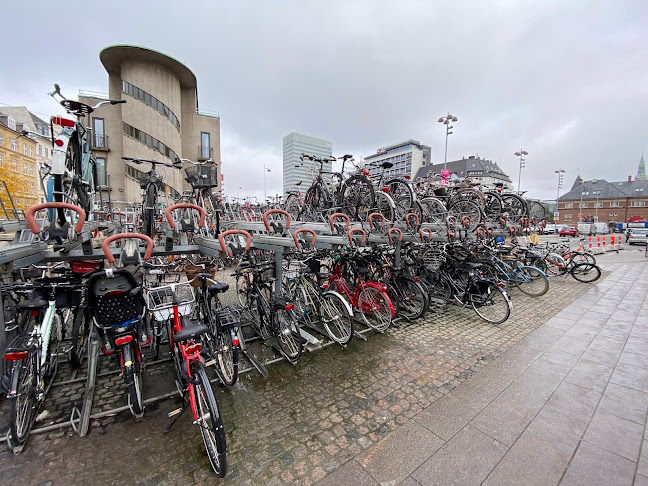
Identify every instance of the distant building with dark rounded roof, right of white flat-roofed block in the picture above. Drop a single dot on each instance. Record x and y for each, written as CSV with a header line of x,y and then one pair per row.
x,y
486,172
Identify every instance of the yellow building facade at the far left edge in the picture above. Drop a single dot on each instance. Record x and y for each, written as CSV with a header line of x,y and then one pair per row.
x,y
18,168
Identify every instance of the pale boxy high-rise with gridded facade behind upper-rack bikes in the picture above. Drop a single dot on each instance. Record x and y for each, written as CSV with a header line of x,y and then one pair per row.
x,y
295,144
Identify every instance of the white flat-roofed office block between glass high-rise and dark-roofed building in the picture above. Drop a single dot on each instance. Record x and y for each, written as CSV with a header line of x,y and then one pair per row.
x,y
407,157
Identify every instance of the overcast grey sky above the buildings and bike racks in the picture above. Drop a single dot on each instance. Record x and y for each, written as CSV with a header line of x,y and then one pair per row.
x,y
565,80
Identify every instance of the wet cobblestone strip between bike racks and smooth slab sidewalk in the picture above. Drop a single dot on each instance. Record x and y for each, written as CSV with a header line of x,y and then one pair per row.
x,y
297,426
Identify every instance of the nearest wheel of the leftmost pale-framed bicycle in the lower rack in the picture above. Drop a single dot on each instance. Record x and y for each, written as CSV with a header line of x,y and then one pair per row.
x,y
23,405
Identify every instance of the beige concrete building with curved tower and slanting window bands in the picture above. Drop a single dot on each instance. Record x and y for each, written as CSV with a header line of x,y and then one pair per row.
x,y
159,121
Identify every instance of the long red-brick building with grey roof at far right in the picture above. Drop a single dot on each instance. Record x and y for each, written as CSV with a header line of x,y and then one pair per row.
x,y
606,202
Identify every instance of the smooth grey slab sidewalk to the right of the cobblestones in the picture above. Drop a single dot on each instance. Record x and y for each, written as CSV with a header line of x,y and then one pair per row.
x,y
566,405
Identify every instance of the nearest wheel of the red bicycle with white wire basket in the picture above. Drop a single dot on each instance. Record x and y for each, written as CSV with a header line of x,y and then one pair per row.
x,y
209,420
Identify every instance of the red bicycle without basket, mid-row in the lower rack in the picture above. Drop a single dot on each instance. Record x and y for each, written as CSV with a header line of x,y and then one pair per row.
x,y
368,297
